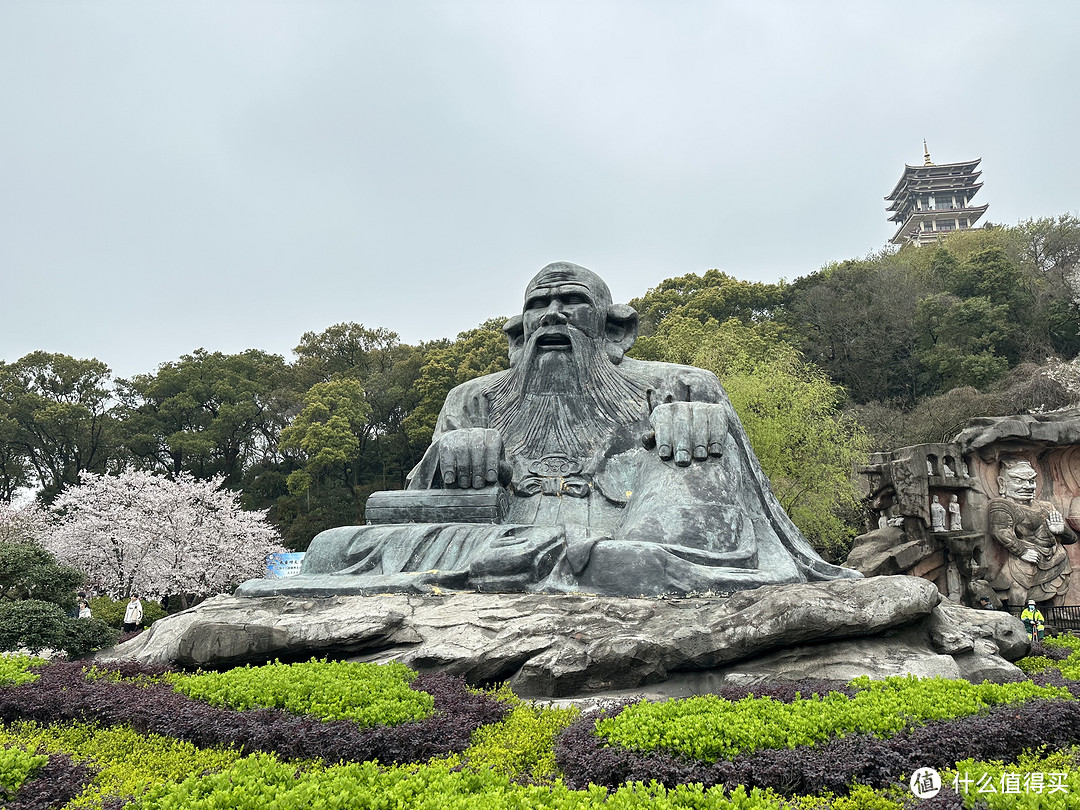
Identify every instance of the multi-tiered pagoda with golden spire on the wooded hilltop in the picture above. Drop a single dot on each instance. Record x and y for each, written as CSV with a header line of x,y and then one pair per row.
x,y
935,199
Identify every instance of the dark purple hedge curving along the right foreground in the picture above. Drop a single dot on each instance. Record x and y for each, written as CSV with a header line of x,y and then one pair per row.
x,y
1002,734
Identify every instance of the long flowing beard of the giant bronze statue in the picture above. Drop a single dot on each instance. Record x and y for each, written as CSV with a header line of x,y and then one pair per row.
x,y
564,402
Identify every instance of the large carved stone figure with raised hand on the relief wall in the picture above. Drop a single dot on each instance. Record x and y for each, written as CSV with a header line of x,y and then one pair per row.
x,y
1037,566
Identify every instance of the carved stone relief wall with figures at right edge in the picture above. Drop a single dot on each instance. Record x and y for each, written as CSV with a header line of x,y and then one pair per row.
x,y
994,514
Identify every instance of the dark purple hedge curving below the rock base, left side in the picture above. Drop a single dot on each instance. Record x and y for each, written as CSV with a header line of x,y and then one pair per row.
x,y
62,694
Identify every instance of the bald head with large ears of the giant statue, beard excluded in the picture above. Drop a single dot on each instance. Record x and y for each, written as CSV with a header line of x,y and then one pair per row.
x,y
566,304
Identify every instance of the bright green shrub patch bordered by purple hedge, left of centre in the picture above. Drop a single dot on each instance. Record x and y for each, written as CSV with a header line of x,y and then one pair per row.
x,y
369,695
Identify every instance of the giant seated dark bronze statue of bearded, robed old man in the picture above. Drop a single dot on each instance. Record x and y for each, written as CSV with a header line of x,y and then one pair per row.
x,y
624,477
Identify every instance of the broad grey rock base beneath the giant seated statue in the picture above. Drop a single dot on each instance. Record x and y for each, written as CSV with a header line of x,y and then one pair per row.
x,y
569,646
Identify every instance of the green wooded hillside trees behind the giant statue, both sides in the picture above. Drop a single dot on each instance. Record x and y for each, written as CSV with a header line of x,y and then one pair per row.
x,y
899,347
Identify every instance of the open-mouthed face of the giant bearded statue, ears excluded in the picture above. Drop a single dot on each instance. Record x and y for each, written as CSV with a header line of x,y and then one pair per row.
x,y
552,310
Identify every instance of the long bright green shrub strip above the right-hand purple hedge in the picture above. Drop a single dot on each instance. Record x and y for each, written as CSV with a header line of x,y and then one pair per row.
x,y
710,728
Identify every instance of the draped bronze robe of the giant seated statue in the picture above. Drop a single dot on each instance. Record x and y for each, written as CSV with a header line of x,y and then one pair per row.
x,y
616,521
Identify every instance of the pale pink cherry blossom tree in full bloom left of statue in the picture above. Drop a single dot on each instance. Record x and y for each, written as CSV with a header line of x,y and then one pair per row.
x,y
143,534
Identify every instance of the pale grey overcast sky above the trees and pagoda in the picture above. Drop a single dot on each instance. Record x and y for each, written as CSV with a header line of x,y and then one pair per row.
x,y
231,175
